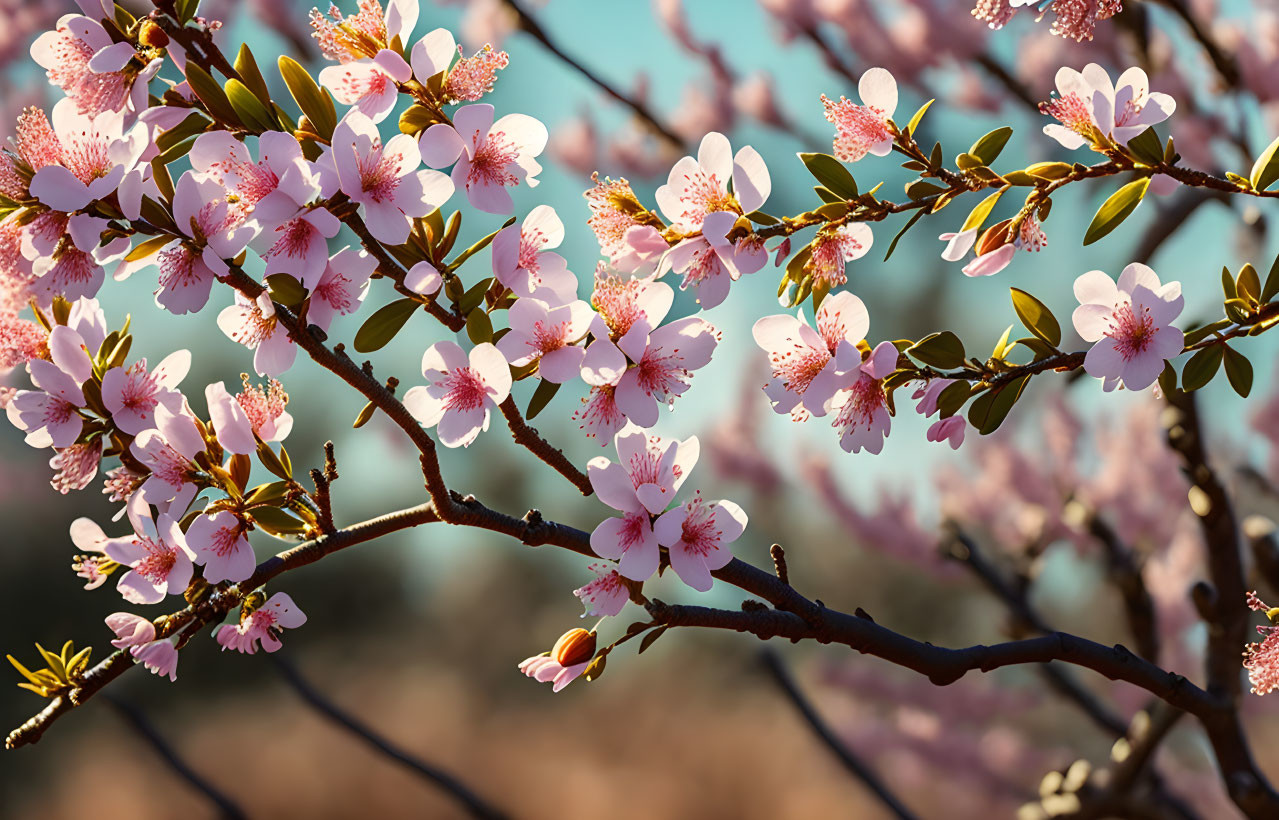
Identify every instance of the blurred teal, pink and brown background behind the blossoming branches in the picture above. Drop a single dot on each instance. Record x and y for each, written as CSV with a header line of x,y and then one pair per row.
x,y
419,635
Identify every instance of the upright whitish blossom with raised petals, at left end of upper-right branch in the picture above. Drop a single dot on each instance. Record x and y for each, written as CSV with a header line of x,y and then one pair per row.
x,y
696,189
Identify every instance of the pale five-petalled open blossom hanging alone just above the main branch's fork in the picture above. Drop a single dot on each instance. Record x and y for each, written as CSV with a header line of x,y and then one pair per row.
x,y
461,392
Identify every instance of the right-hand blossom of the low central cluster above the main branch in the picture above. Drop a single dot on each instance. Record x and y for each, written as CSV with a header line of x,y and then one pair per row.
x,y
696,534
